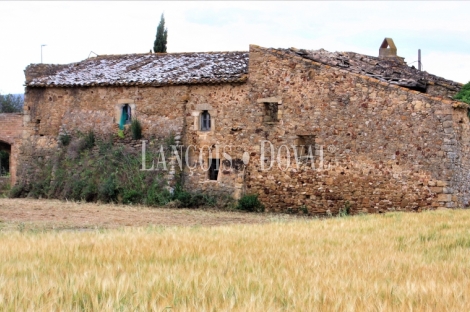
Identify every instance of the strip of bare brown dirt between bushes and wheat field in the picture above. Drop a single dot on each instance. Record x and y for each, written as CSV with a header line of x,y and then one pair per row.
x,y
54,214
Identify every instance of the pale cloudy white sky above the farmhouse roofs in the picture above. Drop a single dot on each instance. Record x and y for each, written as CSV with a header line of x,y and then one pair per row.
x,y
73,31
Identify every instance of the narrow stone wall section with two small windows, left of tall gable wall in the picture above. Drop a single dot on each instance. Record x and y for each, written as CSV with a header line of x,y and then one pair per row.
x,y
226,105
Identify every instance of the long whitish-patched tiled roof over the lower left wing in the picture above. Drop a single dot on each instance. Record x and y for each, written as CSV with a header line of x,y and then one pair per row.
x,y
142,69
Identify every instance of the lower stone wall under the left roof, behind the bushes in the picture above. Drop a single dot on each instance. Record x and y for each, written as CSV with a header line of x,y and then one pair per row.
x,y
162,111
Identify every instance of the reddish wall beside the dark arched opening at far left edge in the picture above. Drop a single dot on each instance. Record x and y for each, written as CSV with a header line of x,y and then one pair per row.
x,y
11,128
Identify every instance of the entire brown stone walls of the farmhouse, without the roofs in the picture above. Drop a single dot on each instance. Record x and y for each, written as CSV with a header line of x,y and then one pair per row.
x,y
377,147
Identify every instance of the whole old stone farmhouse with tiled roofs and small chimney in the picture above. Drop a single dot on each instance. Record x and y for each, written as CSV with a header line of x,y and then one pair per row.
x,y
303,129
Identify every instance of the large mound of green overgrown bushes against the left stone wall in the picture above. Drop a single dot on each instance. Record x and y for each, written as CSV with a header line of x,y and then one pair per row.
x,y
110,173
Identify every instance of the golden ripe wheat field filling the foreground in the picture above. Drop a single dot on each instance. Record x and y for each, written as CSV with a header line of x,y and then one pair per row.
x,y
391,262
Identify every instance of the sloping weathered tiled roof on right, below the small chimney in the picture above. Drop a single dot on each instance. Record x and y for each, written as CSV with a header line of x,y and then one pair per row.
x,y
389,69
